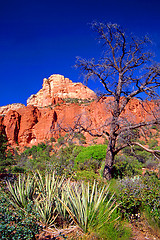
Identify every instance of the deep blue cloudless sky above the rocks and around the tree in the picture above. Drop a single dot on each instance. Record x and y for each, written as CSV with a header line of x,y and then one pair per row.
x,y
42,37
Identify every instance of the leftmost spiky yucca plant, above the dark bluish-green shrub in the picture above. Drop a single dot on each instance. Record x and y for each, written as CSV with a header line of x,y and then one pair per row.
x,y
22,191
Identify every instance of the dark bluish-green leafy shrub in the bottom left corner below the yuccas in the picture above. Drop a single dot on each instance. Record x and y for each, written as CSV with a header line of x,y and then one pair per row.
x,y
16,224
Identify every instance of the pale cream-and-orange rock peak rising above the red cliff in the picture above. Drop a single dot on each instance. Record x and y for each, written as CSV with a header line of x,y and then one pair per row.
x,y
56,88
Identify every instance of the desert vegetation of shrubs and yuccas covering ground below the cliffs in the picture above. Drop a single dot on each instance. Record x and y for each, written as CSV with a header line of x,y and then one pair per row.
x,y
68,191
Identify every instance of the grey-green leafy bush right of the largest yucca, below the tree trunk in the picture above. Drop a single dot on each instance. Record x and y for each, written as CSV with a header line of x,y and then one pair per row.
x,y
140,194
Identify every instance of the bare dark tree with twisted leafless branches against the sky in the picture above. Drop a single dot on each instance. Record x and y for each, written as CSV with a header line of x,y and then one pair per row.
x,y
126,70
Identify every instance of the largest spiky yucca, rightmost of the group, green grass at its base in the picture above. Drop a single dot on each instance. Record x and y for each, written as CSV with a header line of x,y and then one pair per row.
x,y
87,203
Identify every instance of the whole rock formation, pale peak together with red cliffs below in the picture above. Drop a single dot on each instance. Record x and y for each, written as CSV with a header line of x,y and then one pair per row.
x,y
39,120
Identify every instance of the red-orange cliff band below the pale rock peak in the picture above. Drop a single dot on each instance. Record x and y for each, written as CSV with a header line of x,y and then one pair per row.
x,y
32,125
